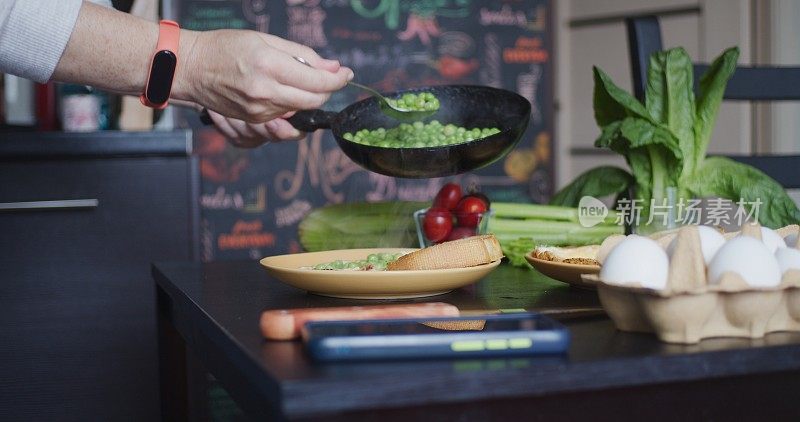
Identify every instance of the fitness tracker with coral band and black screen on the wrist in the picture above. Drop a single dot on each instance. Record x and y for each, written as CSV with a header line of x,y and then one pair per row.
x,y
162,66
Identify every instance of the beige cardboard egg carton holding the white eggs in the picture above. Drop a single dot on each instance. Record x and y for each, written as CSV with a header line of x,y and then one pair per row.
x,y
690,309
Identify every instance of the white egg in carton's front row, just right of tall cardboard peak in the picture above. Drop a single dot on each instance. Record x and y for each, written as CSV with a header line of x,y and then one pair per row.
x,y
747,257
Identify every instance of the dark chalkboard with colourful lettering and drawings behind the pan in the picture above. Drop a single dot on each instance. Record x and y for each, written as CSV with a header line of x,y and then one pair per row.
x,y
252,200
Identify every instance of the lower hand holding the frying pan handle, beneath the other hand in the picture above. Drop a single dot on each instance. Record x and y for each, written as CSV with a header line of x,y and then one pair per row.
x,y
250,135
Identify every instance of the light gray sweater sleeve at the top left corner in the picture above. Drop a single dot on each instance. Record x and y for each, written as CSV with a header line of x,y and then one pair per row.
x,y
34,34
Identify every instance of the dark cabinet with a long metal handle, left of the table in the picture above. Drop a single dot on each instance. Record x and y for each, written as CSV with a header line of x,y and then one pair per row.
x,y
81,219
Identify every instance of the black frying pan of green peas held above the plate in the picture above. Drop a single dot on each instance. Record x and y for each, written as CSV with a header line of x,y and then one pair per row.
x,y
462,105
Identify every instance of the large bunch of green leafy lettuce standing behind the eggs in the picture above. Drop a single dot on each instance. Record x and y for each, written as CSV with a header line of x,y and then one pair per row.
x,y
665,140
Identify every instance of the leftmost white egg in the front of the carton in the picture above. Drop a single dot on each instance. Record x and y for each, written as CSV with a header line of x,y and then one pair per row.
x,y
636,259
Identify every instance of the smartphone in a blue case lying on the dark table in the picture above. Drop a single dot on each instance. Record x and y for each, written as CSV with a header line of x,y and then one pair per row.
x,y
515,334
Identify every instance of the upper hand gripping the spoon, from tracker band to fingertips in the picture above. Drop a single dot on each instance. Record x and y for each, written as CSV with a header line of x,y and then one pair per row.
x,y
253,77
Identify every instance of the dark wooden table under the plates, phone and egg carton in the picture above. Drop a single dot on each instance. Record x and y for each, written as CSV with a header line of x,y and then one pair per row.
x,y
213,310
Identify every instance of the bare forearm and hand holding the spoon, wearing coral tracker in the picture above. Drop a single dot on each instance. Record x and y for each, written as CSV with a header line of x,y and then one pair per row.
x,y
245,75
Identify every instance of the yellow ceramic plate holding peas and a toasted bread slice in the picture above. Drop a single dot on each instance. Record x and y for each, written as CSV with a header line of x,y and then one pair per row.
x,y
368,284
